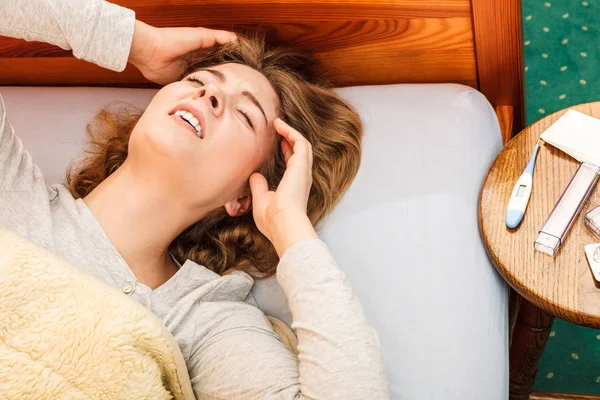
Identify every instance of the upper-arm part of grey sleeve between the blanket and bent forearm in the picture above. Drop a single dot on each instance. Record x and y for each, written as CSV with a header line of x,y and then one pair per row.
x,y
245,359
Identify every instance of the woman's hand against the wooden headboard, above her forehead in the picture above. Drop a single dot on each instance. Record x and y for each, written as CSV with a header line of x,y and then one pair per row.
x,y
162,54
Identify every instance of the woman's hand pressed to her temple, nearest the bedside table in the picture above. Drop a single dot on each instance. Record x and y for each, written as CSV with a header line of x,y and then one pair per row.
x,y
281,215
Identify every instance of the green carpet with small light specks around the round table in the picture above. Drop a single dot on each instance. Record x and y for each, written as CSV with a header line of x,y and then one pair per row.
x,y
562,68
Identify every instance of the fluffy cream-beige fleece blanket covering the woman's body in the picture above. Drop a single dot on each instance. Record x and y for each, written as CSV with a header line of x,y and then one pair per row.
x,y
66,335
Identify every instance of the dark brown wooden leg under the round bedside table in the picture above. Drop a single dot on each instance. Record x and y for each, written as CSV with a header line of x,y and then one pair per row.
x,y
530,335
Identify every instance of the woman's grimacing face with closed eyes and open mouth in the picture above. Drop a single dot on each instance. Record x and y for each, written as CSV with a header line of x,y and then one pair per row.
x,y
235,107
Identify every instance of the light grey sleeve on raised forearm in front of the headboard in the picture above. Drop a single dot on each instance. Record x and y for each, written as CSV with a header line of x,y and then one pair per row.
x,y
95,30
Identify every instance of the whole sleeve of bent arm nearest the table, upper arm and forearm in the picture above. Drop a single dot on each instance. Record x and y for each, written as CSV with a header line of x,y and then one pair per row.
x,y
339,355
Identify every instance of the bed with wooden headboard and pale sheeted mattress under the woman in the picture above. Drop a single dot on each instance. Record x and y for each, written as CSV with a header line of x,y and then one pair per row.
x,y
438,84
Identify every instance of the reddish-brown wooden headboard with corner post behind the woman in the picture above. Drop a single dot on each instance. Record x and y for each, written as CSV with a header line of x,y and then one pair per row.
x,y
473,42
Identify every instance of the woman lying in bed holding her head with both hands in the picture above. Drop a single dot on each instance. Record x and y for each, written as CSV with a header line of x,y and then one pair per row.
x,y
178,206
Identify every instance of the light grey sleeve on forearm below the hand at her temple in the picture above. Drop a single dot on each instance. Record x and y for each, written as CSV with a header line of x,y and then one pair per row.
x,y
339,350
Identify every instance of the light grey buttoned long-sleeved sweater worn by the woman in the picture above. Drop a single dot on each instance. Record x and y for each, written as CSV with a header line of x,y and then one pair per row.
x,y
229,346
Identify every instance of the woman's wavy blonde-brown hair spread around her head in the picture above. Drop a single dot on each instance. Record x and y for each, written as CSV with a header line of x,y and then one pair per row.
x,y
220,242
